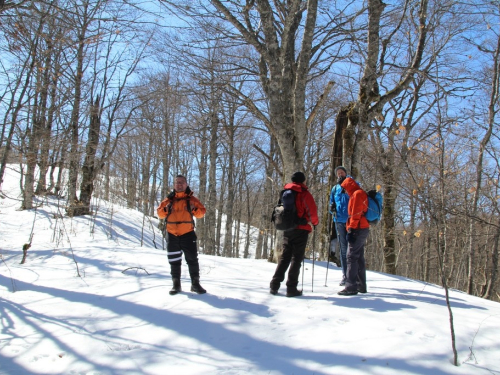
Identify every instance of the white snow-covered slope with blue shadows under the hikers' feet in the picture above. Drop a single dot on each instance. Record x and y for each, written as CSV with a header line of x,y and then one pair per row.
x,y
115,319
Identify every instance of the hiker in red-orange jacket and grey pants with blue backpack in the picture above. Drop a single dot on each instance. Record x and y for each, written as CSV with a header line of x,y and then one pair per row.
x,y
358,229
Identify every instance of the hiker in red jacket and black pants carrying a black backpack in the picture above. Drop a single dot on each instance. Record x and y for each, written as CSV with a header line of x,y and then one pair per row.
x,y
295,240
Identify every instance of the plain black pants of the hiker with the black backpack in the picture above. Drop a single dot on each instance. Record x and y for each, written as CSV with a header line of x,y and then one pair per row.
x,y
294,247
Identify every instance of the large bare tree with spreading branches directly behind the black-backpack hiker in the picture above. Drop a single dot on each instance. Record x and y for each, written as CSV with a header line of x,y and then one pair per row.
x,y
273,30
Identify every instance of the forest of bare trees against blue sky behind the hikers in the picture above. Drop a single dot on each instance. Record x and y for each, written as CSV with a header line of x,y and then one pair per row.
x,y
112,99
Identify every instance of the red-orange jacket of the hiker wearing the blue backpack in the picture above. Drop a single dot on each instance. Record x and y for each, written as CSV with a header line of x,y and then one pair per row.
x,y
358,205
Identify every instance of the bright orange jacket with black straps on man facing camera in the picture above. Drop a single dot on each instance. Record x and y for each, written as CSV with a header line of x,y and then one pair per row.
x,y
180,221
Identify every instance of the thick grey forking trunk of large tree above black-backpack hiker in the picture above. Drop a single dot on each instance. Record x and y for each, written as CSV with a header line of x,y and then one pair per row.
x,y
283,72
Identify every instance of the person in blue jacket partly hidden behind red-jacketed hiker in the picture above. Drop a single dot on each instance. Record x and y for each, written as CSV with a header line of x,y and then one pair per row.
x,y
339,200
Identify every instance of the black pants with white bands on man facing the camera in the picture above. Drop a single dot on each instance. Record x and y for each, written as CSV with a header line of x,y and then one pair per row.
x,y
183,244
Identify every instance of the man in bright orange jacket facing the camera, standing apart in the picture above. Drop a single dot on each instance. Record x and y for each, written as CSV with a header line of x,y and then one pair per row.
x,y
178,210
